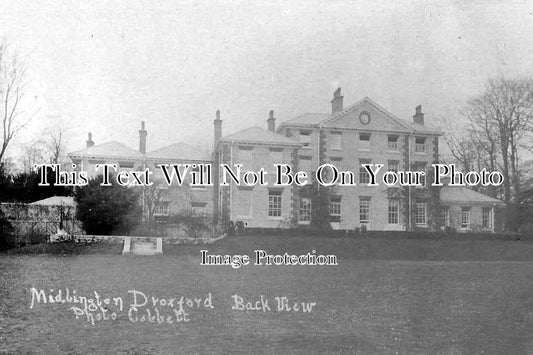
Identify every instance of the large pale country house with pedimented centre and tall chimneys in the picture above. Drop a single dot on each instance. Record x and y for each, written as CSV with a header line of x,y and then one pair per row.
x,y
363,132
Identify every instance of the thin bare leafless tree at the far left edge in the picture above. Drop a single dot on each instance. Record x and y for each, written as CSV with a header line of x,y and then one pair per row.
x,y
12,85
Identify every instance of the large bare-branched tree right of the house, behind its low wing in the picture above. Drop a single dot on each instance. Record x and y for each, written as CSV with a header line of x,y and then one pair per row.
x,y
499,127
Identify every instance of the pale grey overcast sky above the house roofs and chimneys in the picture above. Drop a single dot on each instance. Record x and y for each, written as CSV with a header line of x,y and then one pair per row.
x,y
105,66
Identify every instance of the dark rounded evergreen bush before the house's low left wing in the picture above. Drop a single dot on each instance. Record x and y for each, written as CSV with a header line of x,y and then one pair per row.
x,y
105,209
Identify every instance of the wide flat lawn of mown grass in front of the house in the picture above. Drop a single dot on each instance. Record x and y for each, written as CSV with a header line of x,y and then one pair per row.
x,y
386,296
